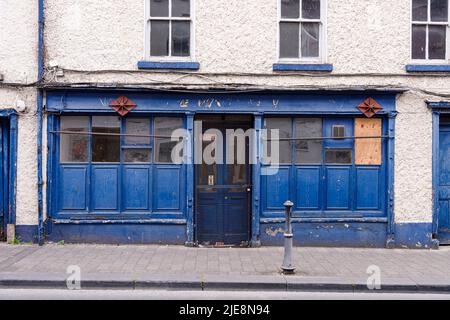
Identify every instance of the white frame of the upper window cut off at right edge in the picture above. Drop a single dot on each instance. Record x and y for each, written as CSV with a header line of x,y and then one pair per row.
x,y
427,24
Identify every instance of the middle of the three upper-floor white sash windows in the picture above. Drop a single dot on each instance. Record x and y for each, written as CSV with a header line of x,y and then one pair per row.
x,y
302,30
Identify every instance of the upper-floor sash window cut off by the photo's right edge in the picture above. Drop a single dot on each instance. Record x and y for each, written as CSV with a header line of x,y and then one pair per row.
x,y
430,30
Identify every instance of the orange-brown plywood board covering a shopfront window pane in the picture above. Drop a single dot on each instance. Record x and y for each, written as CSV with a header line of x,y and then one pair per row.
x,y
368,151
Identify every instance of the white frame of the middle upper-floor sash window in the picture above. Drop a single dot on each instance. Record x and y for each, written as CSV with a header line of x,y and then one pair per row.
x,y
322,58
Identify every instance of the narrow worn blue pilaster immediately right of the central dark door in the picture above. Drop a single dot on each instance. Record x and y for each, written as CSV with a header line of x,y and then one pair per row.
x,y
256,176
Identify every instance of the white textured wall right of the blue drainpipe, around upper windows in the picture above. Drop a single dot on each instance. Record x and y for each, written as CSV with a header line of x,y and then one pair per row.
x,y
368,44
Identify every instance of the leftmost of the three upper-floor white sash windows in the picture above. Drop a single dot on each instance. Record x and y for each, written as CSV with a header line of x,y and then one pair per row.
x,y
169,29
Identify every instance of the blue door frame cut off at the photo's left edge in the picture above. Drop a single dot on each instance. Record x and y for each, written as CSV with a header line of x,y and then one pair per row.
x,y
8,168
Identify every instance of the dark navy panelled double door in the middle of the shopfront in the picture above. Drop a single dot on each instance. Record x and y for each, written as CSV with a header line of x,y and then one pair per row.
x,y
222,197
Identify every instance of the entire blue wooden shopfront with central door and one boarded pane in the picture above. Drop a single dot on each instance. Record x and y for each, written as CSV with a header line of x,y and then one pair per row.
x,y
107,185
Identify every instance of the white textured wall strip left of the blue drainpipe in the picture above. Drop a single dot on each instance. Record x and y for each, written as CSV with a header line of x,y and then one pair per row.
x,y
18,64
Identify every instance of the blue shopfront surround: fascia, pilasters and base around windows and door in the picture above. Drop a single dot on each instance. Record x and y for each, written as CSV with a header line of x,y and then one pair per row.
x,y
260,105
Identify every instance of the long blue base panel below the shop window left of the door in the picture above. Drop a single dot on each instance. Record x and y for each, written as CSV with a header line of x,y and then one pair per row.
x,y
118,234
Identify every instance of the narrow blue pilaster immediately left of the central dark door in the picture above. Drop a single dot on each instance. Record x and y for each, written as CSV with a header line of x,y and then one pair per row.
x,y
189,147
